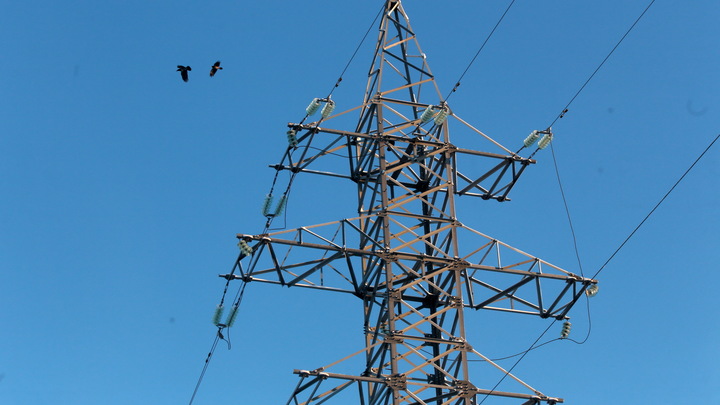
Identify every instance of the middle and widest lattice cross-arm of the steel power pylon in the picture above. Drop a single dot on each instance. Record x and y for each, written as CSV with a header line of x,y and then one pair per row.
x,y
494,275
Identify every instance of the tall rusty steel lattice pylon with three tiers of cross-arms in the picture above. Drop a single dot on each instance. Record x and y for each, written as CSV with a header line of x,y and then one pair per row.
x,y
414,266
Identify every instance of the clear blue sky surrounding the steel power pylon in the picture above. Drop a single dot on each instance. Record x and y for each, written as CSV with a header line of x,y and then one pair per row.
x,y
122,189
